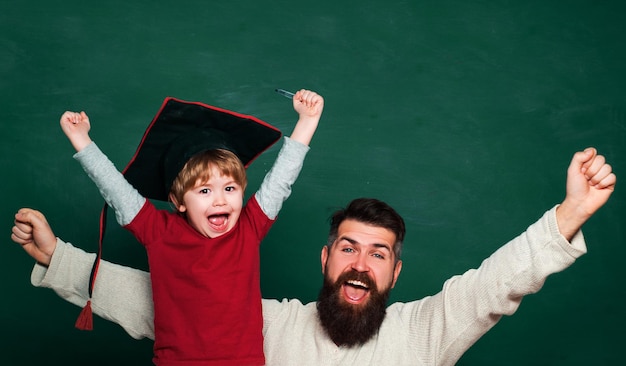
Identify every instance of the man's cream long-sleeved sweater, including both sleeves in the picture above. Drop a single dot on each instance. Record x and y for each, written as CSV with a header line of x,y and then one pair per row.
x,y
435,330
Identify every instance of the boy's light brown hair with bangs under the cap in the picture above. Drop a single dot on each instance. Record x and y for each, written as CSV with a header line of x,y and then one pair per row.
x,y
196,171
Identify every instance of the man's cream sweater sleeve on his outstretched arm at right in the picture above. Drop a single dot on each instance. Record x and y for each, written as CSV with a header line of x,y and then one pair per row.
x,y
471,304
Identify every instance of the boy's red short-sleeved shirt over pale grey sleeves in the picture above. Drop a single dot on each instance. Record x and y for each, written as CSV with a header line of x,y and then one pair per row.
x,y
206,291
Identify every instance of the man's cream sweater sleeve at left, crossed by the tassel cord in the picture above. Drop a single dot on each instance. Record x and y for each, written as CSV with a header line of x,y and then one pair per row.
x,y
122,295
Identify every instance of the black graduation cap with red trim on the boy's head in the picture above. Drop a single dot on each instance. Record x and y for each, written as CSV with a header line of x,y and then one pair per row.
x,y
182,129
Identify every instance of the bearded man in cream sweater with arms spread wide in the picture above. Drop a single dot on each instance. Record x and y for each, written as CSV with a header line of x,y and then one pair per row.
x,y
350,324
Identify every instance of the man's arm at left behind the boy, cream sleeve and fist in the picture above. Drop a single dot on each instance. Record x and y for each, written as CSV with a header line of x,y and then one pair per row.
x,y
122,294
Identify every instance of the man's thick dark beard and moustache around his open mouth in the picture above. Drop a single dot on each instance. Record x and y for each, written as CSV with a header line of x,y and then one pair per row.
x,y
348,324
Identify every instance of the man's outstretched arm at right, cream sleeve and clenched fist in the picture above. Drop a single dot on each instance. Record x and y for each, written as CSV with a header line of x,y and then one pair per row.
x,y
470,304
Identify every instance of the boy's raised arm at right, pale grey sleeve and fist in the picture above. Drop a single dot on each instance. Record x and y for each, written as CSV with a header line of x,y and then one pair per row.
x,y
276,186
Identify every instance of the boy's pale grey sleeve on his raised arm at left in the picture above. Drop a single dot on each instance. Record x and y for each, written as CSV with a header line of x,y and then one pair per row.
x,y
115,190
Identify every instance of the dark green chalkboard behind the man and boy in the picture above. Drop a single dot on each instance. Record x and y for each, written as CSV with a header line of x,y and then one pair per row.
x,y
463,115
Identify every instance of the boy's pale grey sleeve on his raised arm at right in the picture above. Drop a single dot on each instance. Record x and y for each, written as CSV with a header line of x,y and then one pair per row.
x,y
276,186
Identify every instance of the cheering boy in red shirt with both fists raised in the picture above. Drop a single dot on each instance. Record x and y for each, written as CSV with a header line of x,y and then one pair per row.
x,y
204,259
